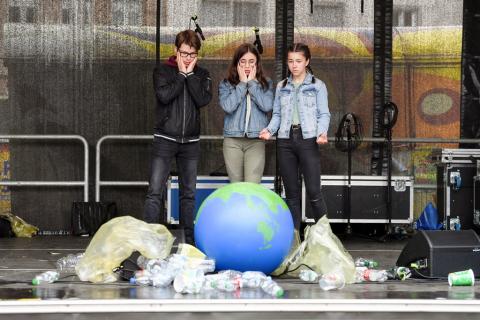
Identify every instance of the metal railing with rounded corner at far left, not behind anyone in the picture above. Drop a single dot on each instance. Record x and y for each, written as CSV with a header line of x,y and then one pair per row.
x,y
83,183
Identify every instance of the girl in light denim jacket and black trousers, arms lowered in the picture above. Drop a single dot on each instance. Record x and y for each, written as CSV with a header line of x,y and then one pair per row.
x,y
300,118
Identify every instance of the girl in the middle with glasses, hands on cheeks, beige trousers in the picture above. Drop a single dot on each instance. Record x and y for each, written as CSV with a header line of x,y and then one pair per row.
x,y
246,96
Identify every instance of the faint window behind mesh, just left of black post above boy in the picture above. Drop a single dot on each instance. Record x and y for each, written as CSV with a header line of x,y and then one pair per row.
x,y
127,12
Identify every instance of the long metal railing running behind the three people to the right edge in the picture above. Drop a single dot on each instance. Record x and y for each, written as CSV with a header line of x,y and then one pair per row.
x,y
99,183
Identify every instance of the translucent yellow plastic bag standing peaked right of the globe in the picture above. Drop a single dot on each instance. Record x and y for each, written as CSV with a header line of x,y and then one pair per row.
x,y
322,251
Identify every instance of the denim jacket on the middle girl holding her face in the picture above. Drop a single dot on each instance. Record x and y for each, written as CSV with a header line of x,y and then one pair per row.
x,y
233,100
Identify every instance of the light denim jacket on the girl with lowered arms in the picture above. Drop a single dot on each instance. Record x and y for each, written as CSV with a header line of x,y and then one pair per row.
x,y
312,108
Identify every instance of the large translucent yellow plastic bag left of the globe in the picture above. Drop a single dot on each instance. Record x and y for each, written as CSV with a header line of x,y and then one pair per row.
x,y
115,241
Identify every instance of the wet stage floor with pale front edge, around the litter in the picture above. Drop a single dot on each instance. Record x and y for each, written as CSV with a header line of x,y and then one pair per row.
x,y
22,258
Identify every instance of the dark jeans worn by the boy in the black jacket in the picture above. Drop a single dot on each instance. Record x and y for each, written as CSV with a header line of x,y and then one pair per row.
x,y
186,155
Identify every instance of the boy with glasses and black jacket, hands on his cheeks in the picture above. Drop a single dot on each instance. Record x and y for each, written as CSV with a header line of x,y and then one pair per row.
x,y
181,89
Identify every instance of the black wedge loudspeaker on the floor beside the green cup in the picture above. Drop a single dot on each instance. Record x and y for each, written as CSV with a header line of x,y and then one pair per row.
x,y
443,252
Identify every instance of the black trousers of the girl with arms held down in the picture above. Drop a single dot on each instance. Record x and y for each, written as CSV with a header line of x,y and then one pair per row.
x,y
301,156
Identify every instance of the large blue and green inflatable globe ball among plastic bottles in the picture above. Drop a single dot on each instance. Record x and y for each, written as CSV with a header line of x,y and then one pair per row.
x,y
245,227
